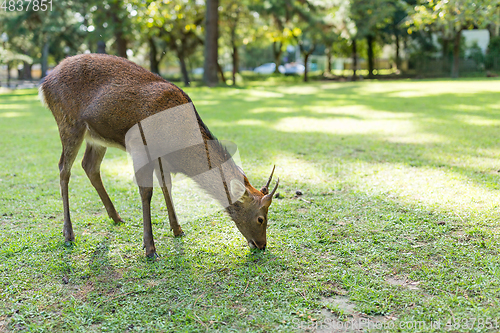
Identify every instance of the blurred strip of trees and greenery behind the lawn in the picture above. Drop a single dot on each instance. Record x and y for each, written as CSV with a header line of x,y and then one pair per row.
x,y
306,39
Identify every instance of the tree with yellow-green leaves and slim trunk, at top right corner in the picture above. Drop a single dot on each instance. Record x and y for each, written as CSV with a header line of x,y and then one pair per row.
x,y
451,17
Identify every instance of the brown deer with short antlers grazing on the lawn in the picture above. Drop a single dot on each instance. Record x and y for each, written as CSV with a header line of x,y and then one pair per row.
x,y
109,101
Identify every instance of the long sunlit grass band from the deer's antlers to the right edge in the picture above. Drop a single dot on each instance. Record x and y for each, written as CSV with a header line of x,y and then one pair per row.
x,y
433,189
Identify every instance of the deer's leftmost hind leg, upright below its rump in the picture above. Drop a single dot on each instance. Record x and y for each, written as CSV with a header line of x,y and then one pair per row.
x,y
71,139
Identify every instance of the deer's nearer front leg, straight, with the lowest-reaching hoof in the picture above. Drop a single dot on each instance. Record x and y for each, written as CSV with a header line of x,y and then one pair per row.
x,y
145,180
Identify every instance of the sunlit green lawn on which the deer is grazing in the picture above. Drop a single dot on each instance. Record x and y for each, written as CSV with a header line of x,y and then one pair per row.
x,y
398,223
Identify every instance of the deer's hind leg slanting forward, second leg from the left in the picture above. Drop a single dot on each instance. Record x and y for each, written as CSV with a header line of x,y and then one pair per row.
x,y
91,163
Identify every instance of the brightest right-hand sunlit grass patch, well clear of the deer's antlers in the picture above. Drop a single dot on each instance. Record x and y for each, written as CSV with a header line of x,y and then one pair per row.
x,y
431,188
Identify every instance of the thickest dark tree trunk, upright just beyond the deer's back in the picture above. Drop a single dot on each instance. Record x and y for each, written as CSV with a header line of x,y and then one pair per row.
x,y
211,43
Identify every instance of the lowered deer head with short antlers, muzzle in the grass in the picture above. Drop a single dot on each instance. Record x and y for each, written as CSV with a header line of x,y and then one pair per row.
x,y
250,211
